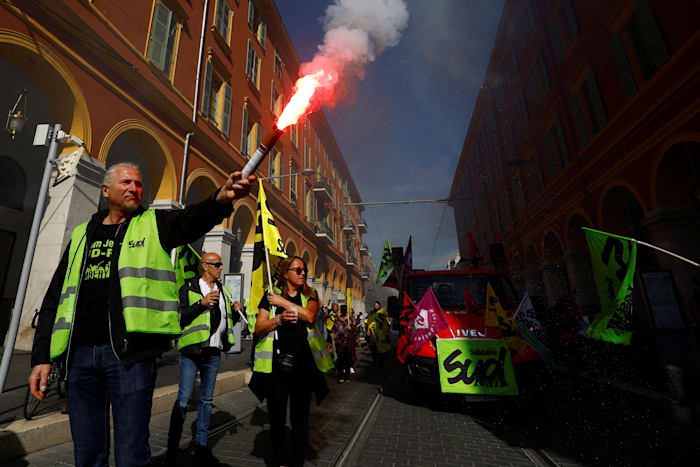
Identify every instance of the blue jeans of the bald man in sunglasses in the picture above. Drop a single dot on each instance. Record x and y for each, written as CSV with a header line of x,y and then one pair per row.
x,y
208,366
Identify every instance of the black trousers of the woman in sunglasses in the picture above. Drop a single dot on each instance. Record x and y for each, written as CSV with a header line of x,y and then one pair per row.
x,y
294,387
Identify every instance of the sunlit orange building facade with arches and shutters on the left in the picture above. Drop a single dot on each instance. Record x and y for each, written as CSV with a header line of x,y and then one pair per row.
x,y
186,90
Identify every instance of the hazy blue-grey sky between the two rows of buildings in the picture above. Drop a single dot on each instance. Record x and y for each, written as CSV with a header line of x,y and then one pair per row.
x,y
402,134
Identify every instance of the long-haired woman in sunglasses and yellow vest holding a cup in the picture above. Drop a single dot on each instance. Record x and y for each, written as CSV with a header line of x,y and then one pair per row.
x,y
290,356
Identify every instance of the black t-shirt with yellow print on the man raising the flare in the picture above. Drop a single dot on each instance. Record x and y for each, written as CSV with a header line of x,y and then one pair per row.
x,y
91,326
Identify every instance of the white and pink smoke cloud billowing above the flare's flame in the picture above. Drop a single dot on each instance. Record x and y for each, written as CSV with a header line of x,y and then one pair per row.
x,y
356,31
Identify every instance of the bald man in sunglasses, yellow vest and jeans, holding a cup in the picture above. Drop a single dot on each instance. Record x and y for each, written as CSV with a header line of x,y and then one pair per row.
x,y
207,318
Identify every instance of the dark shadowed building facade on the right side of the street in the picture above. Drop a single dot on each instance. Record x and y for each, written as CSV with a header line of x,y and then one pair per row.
x,y
588,117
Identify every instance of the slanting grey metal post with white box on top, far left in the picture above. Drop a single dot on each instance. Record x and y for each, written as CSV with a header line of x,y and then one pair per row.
x,y
43,136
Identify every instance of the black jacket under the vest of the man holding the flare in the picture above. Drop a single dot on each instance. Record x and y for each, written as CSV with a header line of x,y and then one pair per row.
x,y
175,228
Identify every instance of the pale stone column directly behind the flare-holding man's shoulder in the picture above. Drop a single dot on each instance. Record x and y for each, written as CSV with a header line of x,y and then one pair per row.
x,y
69,204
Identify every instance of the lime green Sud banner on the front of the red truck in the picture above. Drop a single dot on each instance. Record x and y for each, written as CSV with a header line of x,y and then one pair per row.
x,y
476,366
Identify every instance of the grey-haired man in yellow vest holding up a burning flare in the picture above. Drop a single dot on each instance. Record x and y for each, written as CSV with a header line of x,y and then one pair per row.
x,y
100,313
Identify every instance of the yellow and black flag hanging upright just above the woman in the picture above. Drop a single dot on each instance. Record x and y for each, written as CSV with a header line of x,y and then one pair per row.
x,y
265,233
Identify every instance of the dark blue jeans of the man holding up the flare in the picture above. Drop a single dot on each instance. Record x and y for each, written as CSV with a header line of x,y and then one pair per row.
x,y
97,379
